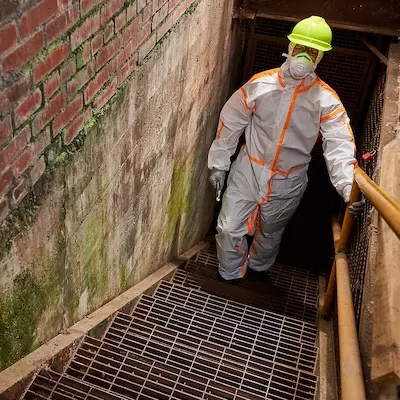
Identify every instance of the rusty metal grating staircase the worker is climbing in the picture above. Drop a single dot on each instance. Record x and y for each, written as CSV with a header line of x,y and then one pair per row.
x,y
197,338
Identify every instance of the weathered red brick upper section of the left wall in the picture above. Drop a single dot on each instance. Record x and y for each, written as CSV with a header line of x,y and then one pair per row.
x,y
61,62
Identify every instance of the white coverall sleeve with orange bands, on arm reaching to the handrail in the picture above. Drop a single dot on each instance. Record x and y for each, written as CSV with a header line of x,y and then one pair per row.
x,y
338,145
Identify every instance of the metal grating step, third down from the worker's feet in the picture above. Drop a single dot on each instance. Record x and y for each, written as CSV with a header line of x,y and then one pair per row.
x,y
269,345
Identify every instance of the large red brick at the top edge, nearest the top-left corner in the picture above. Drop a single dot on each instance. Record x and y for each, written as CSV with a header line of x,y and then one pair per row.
x,y
36,16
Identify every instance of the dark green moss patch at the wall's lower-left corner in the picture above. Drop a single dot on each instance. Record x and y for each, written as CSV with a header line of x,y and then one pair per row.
x,y
20,311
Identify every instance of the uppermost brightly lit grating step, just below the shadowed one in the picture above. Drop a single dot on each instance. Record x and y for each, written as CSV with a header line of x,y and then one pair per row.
x,y
255,318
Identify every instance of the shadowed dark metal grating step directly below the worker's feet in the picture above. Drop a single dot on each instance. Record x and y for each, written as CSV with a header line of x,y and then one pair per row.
x,y
272,298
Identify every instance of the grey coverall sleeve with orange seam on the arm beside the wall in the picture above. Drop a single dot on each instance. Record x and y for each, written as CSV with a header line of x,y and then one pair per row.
x,y
234,117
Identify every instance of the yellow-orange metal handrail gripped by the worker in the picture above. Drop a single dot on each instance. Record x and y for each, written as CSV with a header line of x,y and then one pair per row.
x,y
352,382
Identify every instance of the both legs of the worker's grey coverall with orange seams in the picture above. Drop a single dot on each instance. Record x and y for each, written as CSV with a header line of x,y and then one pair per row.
x,y
242,210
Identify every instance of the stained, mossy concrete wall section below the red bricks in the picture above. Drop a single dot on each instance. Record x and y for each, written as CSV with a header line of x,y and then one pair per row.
x,y
129,194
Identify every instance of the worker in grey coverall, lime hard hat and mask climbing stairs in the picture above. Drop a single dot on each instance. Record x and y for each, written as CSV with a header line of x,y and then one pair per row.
x,y
281,112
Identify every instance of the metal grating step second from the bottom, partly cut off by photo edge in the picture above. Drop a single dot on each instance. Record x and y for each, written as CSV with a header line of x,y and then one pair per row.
x,y
137,377
